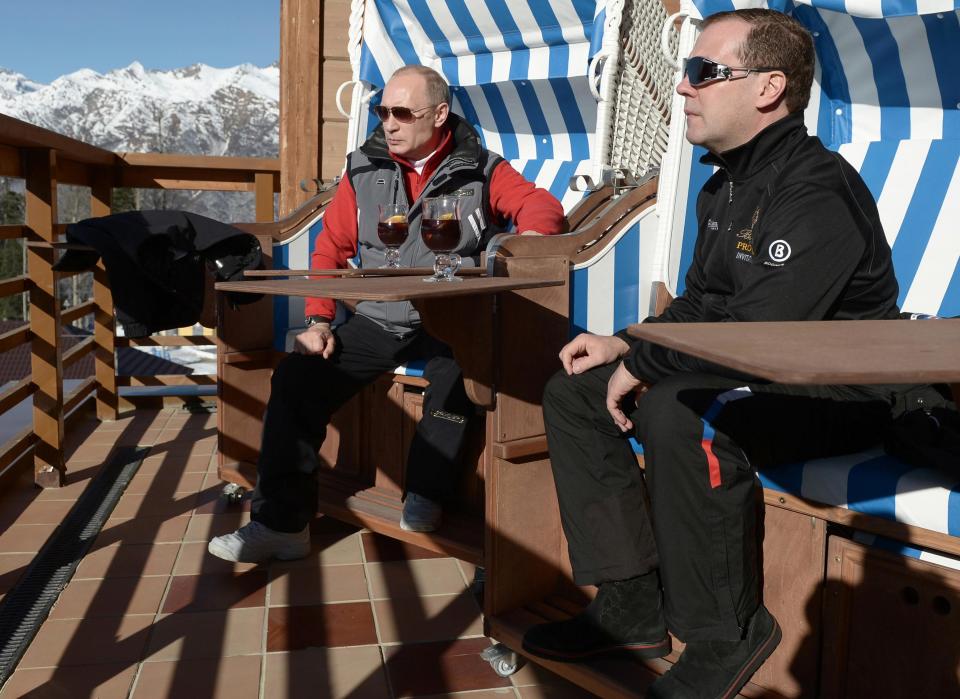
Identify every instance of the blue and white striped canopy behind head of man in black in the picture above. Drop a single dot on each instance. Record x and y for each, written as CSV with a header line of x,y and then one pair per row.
x,y
886,68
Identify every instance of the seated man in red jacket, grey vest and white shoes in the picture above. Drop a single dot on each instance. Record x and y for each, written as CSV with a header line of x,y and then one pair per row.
x,y
420,150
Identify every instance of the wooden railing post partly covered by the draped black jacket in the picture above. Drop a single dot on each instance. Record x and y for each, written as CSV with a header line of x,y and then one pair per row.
x,y
104,323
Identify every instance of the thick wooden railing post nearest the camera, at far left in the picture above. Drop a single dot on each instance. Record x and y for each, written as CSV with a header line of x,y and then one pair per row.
x,y
46,358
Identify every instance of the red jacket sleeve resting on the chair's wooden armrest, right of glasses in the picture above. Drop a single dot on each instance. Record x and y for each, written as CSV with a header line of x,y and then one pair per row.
x,y
530,208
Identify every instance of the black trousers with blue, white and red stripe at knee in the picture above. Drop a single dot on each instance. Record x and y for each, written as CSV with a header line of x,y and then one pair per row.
x,y
694,512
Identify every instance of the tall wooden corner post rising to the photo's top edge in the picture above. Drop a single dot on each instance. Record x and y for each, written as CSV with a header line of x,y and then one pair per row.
x,y
300,83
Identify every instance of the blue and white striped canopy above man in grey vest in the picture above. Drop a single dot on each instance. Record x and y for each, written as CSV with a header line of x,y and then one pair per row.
x,y
518,73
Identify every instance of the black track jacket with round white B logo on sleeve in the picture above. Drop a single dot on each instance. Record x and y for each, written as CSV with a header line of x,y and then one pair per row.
x,y
787,230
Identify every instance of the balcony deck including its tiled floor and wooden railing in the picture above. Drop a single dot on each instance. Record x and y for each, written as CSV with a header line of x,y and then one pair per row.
x,y
148,612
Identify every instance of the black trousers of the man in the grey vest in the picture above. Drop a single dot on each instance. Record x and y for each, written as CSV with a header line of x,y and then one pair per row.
x,y
306,390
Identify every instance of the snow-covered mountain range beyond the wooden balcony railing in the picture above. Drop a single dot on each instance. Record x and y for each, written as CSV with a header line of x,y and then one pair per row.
x,y
195,110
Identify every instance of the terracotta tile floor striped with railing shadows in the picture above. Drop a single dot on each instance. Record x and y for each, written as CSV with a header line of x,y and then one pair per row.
x,y
150,614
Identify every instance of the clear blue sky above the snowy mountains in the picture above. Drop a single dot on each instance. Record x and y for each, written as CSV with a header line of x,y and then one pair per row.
x,y
44,39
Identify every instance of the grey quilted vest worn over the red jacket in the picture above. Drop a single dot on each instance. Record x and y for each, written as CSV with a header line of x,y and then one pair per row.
x,y
377,179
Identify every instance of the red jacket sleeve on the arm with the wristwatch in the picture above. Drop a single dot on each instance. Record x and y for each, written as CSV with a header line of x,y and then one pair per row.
x,y
336,244
